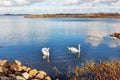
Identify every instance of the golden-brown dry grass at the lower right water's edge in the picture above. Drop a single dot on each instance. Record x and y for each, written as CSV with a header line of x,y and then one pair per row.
x,y
105,70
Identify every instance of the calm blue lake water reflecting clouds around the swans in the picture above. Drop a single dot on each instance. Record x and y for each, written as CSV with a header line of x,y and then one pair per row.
x,y
22,39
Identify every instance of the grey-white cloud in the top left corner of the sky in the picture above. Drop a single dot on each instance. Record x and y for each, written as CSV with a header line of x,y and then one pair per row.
x,y
8,3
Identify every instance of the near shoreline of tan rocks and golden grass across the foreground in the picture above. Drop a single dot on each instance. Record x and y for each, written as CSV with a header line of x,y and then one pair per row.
x,y
88,71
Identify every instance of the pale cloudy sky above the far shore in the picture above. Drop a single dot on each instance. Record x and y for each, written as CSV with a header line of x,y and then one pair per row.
x,y
58,6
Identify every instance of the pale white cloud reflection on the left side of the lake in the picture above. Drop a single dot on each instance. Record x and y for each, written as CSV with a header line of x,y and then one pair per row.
x,y
24,33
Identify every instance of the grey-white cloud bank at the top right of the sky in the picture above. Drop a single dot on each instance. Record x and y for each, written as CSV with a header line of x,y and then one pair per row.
x,y
92,2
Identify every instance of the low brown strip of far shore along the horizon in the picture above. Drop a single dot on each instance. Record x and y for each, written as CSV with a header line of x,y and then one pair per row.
x,y
96,15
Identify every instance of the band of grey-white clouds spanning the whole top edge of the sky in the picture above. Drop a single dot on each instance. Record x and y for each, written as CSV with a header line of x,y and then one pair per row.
x,y
63,2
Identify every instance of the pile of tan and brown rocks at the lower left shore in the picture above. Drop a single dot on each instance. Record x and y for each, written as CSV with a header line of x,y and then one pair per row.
x,y
16,71
